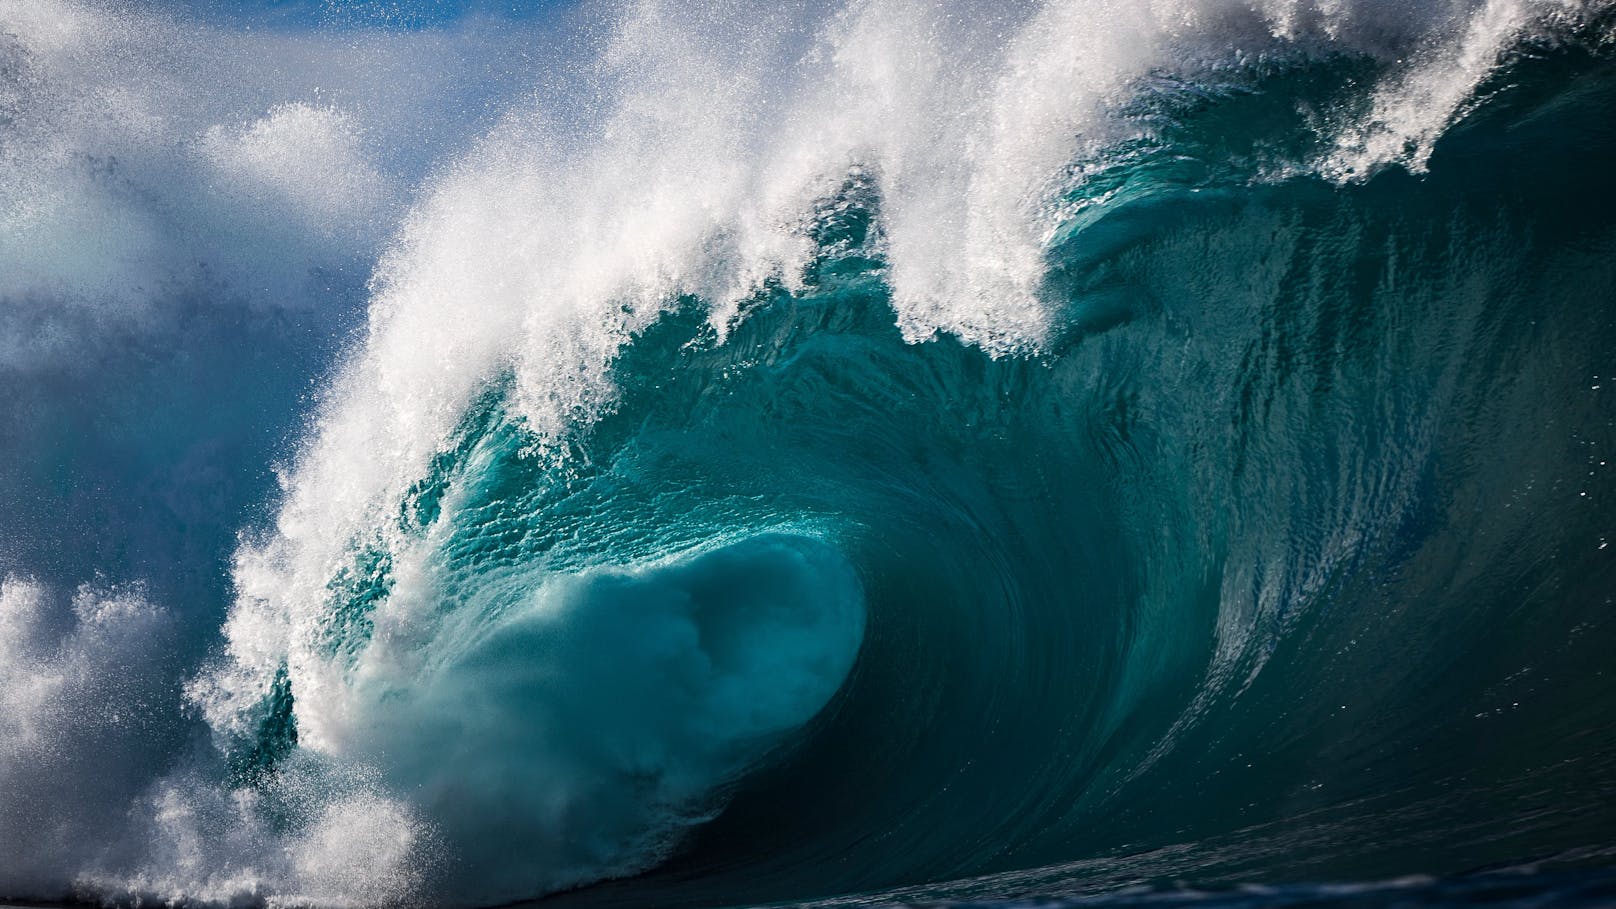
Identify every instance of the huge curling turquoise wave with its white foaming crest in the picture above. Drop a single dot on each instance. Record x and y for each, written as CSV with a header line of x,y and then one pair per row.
x,y
1250,538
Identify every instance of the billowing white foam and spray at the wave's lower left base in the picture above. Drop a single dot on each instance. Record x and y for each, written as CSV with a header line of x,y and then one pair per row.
x,y
91,805
